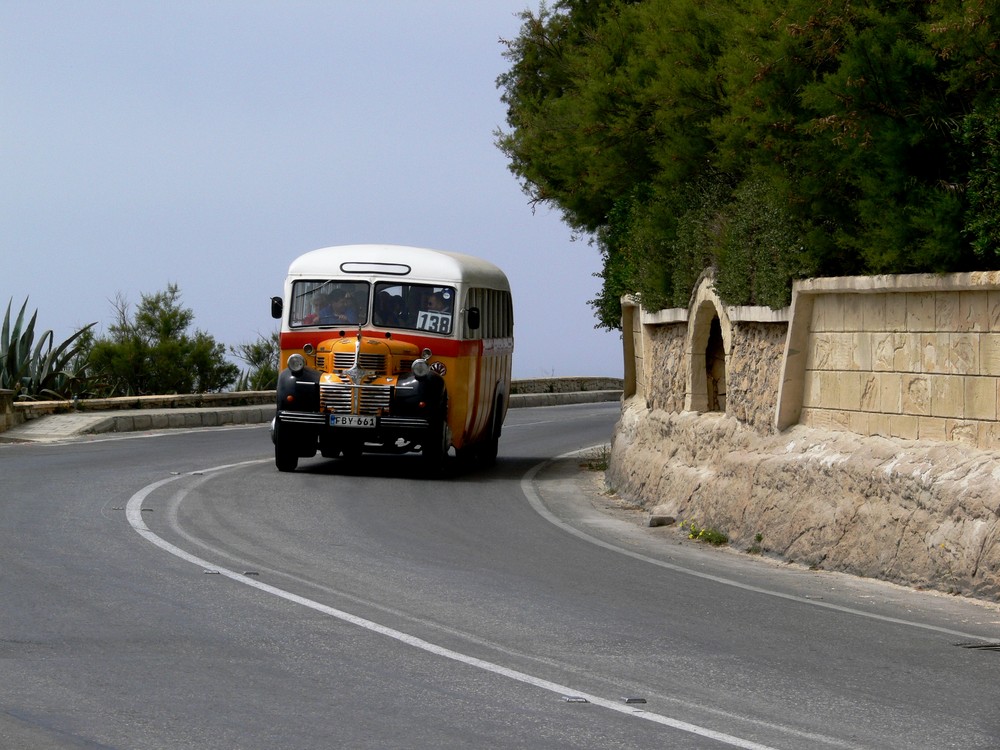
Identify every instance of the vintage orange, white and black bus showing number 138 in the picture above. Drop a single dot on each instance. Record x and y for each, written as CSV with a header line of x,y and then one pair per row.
x,y
386,348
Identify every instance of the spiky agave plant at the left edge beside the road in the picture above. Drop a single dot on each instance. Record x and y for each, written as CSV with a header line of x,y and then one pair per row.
x,y
42,369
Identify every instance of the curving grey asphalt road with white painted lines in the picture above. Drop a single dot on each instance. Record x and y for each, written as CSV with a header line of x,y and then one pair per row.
x,y
175,591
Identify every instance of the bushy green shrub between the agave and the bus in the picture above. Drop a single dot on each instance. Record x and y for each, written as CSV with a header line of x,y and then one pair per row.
x,y
153,353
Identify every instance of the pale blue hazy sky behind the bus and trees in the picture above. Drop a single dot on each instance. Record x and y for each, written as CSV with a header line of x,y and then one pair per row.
x,y
209,142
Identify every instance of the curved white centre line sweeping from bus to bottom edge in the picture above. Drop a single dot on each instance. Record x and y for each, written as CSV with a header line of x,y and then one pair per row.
x,y
133,512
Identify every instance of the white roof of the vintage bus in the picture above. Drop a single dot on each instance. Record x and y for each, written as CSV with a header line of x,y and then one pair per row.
x,y
398,261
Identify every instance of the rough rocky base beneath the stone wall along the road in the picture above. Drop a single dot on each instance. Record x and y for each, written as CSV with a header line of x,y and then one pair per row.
x,y
918,513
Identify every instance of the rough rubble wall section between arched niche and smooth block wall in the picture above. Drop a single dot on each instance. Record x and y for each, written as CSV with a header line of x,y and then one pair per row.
x,y
753,372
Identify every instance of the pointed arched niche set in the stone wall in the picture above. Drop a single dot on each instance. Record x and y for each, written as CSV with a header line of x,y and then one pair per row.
x,y
708,347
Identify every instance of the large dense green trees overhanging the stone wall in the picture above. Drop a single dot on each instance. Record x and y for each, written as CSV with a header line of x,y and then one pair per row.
x,y
767,140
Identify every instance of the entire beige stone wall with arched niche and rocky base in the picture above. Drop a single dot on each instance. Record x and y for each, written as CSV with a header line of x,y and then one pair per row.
x,y
856,430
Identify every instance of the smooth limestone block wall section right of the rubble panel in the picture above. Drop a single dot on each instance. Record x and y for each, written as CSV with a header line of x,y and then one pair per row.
x,y
913,357
